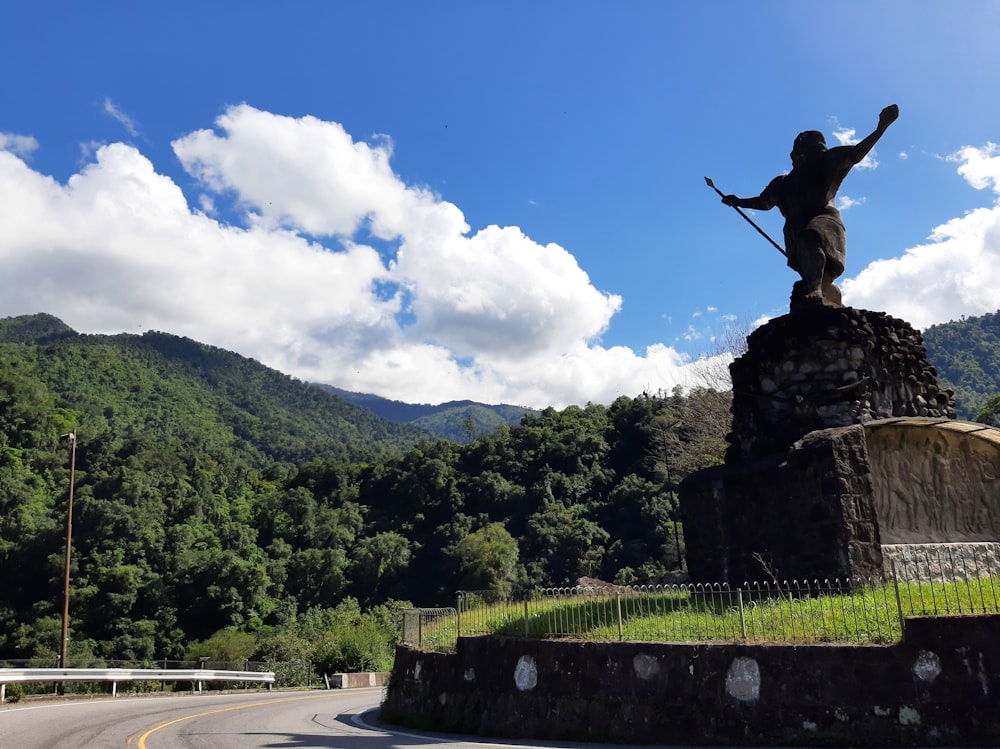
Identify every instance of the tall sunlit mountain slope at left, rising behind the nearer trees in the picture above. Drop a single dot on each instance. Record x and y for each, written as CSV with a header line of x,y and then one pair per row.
x,y
163,386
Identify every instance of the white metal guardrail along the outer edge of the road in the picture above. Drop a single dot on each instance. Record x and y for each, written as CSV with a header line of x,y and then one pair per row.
x,y
115,675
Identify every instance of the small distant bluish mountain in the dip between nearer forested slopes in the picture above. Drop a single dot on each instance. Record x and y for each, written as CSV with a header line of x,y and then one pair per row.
x,y
460,421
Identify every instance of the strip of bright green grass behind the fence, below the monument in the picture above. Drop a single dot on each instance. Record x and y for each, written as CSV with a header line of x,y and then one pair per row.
x,y
865,615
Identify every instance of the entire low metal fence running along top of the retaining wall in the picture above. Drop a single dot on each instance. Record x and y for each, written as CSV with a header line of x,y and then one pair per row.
x,y
936,581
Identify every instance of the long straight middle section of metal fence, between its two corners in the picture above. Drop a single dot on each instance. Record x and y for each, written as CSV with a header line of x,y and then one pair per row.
x,y
827,611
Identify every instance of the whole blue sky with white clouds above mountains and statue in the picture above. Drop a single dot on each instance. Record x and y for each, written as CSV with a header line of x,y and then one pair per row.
x,y
501,201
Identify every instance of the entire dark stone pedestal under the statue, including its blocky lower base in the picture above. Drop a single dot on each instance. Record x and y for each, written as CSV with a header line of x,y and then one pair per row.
x,y
795,498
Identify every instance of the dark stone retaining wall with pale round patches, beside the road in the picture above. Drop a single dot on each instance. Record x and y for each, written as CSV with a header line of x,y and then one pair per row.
x,y
940,686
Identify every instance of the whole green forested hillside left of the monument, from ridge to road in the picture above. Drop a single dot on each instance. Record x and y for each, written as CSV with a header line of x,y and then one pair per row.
x,y
214,494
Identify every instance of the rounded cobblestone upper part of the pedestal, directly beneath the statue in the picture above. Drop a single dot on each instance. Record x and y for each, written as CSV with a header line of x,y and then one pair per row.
x,y
824,367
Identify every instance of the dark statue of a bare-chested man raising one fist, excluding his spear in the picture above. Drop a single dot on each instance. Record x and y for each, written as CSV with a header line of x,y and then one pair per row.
x,y
814,233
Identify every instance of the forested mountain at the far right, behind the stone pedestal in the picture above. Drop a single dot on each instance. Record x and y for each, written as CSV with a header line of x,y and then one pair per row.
x,y
966,354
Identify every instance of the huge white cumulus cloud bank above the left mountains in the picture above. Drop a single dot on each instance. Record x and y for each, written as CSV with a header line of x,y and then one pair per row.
x,y
334,270
